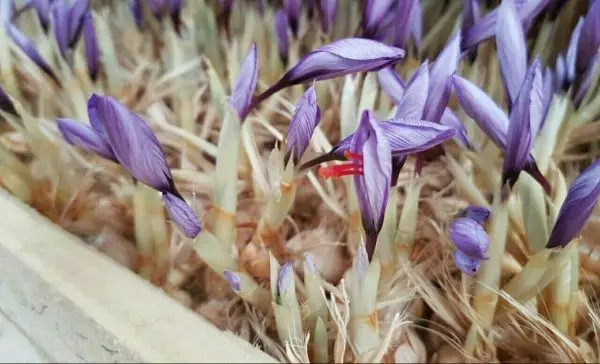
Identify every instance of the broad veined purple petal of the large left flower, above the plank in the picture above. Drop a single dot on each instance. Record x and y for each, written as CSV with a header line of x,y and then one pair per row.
x,y
133,142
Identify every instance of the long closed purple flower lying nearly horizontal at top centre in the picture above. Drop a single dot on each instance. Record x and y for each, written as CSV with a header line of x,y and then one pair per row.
x,y
342,57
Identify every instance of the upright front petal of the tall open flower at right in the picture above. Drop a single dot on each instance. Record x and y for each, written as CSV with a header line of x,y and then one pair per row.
x,y
525,120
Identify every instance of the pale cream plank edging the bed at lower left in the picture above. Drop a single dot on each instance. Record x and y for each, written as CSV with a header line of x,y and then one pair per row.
x,y
79,306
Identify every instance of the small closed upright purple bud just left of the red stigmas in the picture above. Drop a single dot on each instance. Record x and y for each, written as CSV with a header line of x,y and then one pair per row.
x,y
305,119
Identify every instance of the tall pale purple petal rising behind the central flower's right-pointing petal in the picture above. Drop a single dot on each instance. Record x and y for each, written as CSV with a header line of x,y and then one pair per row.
x,y
440,82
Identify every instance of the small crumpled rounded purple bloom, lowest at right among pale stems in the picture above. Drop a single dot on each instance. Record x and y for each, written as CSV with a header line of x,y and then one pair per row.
x,y
470,239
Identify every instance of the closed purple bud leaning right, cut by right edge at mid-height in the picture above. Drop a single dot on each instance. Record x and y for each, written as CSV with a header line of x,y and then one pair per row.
x,y
577,207
